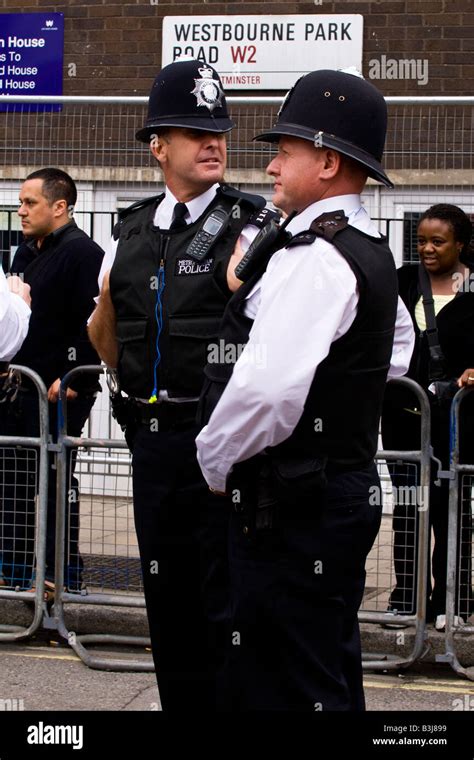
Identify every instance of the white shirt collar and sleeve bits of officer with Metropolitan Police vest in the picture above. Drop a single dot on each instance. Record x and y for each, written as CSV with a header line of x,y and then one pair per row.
x,y
163,218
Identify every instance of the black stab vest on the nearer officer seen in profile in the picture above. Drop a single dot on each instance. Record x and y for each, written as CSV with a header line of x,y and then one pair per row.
x,y
342,410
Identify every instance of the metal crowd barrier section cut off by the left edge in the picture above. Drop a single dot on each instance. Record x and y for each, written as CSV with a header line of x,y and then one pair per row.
x,y
23,507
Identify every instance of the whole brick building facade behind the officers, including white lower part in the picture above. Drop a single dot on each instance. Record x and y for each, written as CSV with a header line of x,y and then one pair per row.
x,y
115,49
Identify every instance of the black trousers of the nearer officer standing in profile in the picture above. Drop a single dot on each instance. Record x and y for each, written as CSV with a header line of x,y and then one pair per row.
x,y
296,586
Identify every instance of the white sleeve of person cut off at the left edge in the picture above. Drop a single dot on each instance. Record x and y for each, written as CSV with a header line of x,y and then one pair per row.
x,y
14,320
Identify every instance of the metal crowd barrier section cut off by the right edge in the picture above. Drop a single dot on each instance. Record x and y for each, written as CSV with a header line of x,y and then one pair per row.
x,y
459,569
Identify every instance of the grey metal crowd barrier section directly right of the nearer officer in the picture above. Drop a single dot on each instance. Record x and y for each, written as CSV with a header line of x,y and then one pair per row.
x,y
382,551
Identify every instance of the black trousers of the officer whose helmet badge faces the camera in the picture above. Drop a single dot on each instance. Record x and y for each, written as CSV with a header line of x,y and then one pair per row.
x,y
182,535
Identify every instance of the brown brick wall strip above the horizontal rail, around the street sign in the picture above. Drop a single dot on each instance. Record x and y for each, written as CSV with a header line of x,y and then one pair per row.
x,y
116,47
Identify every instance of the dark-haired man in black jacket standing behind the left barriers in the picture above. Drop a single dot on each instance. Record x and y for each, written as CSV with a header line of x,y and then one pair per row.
x,y
61,264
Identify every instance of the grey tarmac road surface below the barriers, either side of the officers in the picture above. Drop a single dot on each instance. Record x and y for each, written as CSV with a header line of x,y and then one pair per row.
x,y
45,675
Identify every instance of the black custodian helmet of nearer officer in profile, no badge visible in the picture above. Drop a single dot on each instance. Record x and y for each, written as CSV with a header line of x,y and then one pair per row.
x,y
338,110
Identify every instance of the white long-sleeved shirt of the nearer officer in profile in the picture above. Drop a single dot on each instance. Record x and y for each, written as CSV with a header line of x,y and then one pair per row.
x,y
306,300
